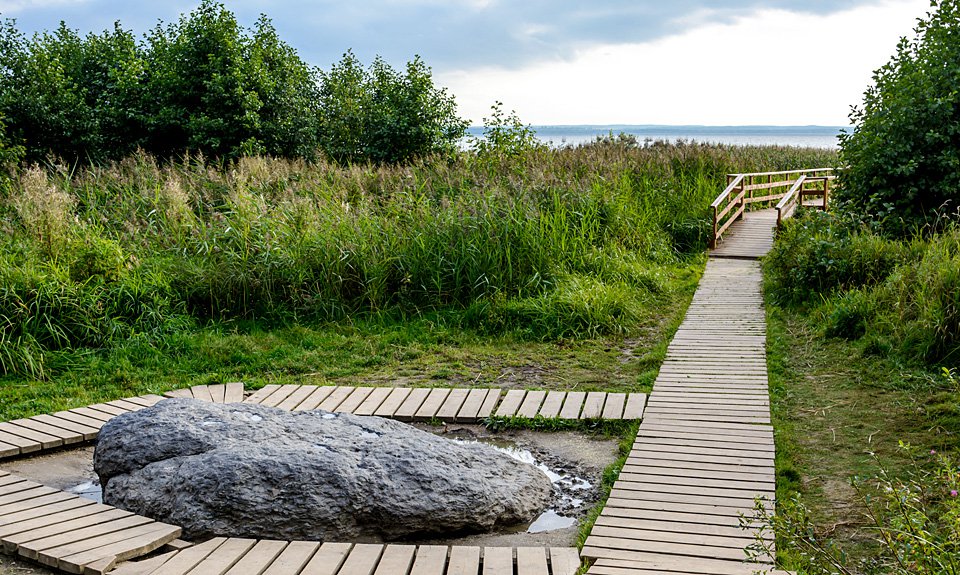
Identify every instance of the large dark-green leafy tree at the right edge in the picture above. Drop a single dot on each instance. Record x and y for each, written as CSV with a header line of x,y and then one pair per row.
x,y
903,155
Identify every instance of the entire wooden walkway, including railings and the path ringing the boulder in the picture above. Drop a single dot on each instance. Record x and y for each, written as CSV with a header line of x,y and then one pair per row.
x,y
703,455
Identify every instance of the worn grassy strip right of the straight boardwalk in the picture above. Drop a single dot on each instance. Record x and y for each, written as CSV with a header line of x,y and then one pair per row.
x,y
838,412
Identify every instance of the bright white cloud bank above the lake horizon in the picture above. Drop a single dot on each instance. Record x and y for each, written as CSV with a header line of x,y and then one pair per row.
x,y
772,67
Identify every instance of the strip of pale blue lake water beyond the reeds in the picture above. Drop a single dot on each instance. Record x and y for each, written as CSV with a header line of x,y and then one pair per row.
x,y
798,136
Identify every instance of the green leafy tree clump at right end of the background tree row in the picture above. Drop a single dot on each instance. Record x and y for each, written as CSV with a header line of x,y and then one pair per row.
x,y
385,116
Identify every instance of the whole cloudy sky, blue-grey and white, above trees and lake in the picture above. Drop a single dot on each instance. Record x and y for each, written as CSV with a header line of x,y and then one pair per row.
x,y
721,62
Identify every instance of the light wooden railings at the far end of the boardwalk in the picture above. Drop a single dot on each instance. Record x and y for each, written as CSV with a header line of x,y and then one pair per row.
x,y
745,189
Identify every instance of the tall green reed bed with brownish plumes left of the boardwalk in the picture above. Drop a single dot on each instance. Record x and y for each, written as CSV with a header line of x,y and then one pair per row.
x,y
554,243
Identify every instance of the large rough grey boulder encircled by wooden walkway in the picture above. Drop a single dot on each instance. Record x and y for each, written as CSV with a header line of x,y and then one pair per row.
x,y
253,471
